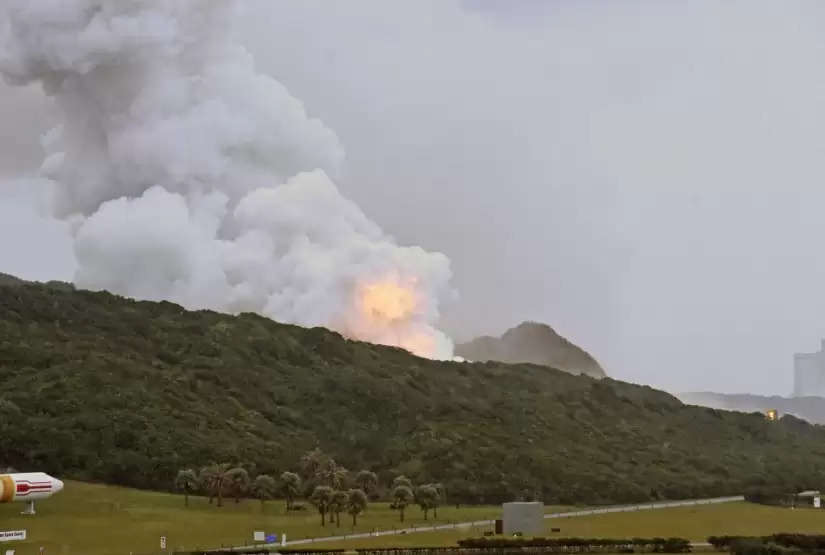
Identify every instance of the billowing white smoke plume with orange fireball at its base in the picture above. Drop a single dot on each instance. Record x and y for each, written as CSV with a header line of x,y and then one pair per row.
x,y
189,176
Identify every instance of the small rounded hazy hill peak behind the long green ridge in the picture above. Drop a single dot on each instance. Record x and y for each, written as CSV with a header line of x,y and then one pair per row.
x,y
535,343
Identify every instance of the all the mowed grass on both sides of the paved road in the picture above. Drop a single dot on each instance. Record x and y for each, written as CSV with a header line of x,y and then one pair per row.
x,y
87,519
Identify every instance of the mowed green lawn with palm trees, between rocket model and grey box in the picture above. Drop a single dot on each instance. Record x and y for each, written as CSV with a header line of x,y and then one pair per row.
x,y
88,519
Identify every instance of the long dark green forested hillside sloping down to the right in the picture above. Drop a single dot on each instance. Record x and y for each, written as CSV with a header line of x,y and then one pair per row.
x,y
98,387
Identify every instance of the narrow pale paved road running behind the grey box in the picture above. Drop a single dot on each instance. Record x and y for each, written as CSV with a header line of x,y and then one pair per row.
x,y
570,514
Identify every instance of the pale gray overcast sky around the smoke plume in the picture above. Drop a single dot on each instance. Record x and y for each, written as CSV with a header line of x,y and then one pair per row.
x,y
645,176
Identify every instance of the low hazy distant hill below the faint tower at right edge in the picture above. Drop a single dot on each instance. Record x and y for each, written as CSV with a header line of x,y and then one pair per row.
x,y
811,409
